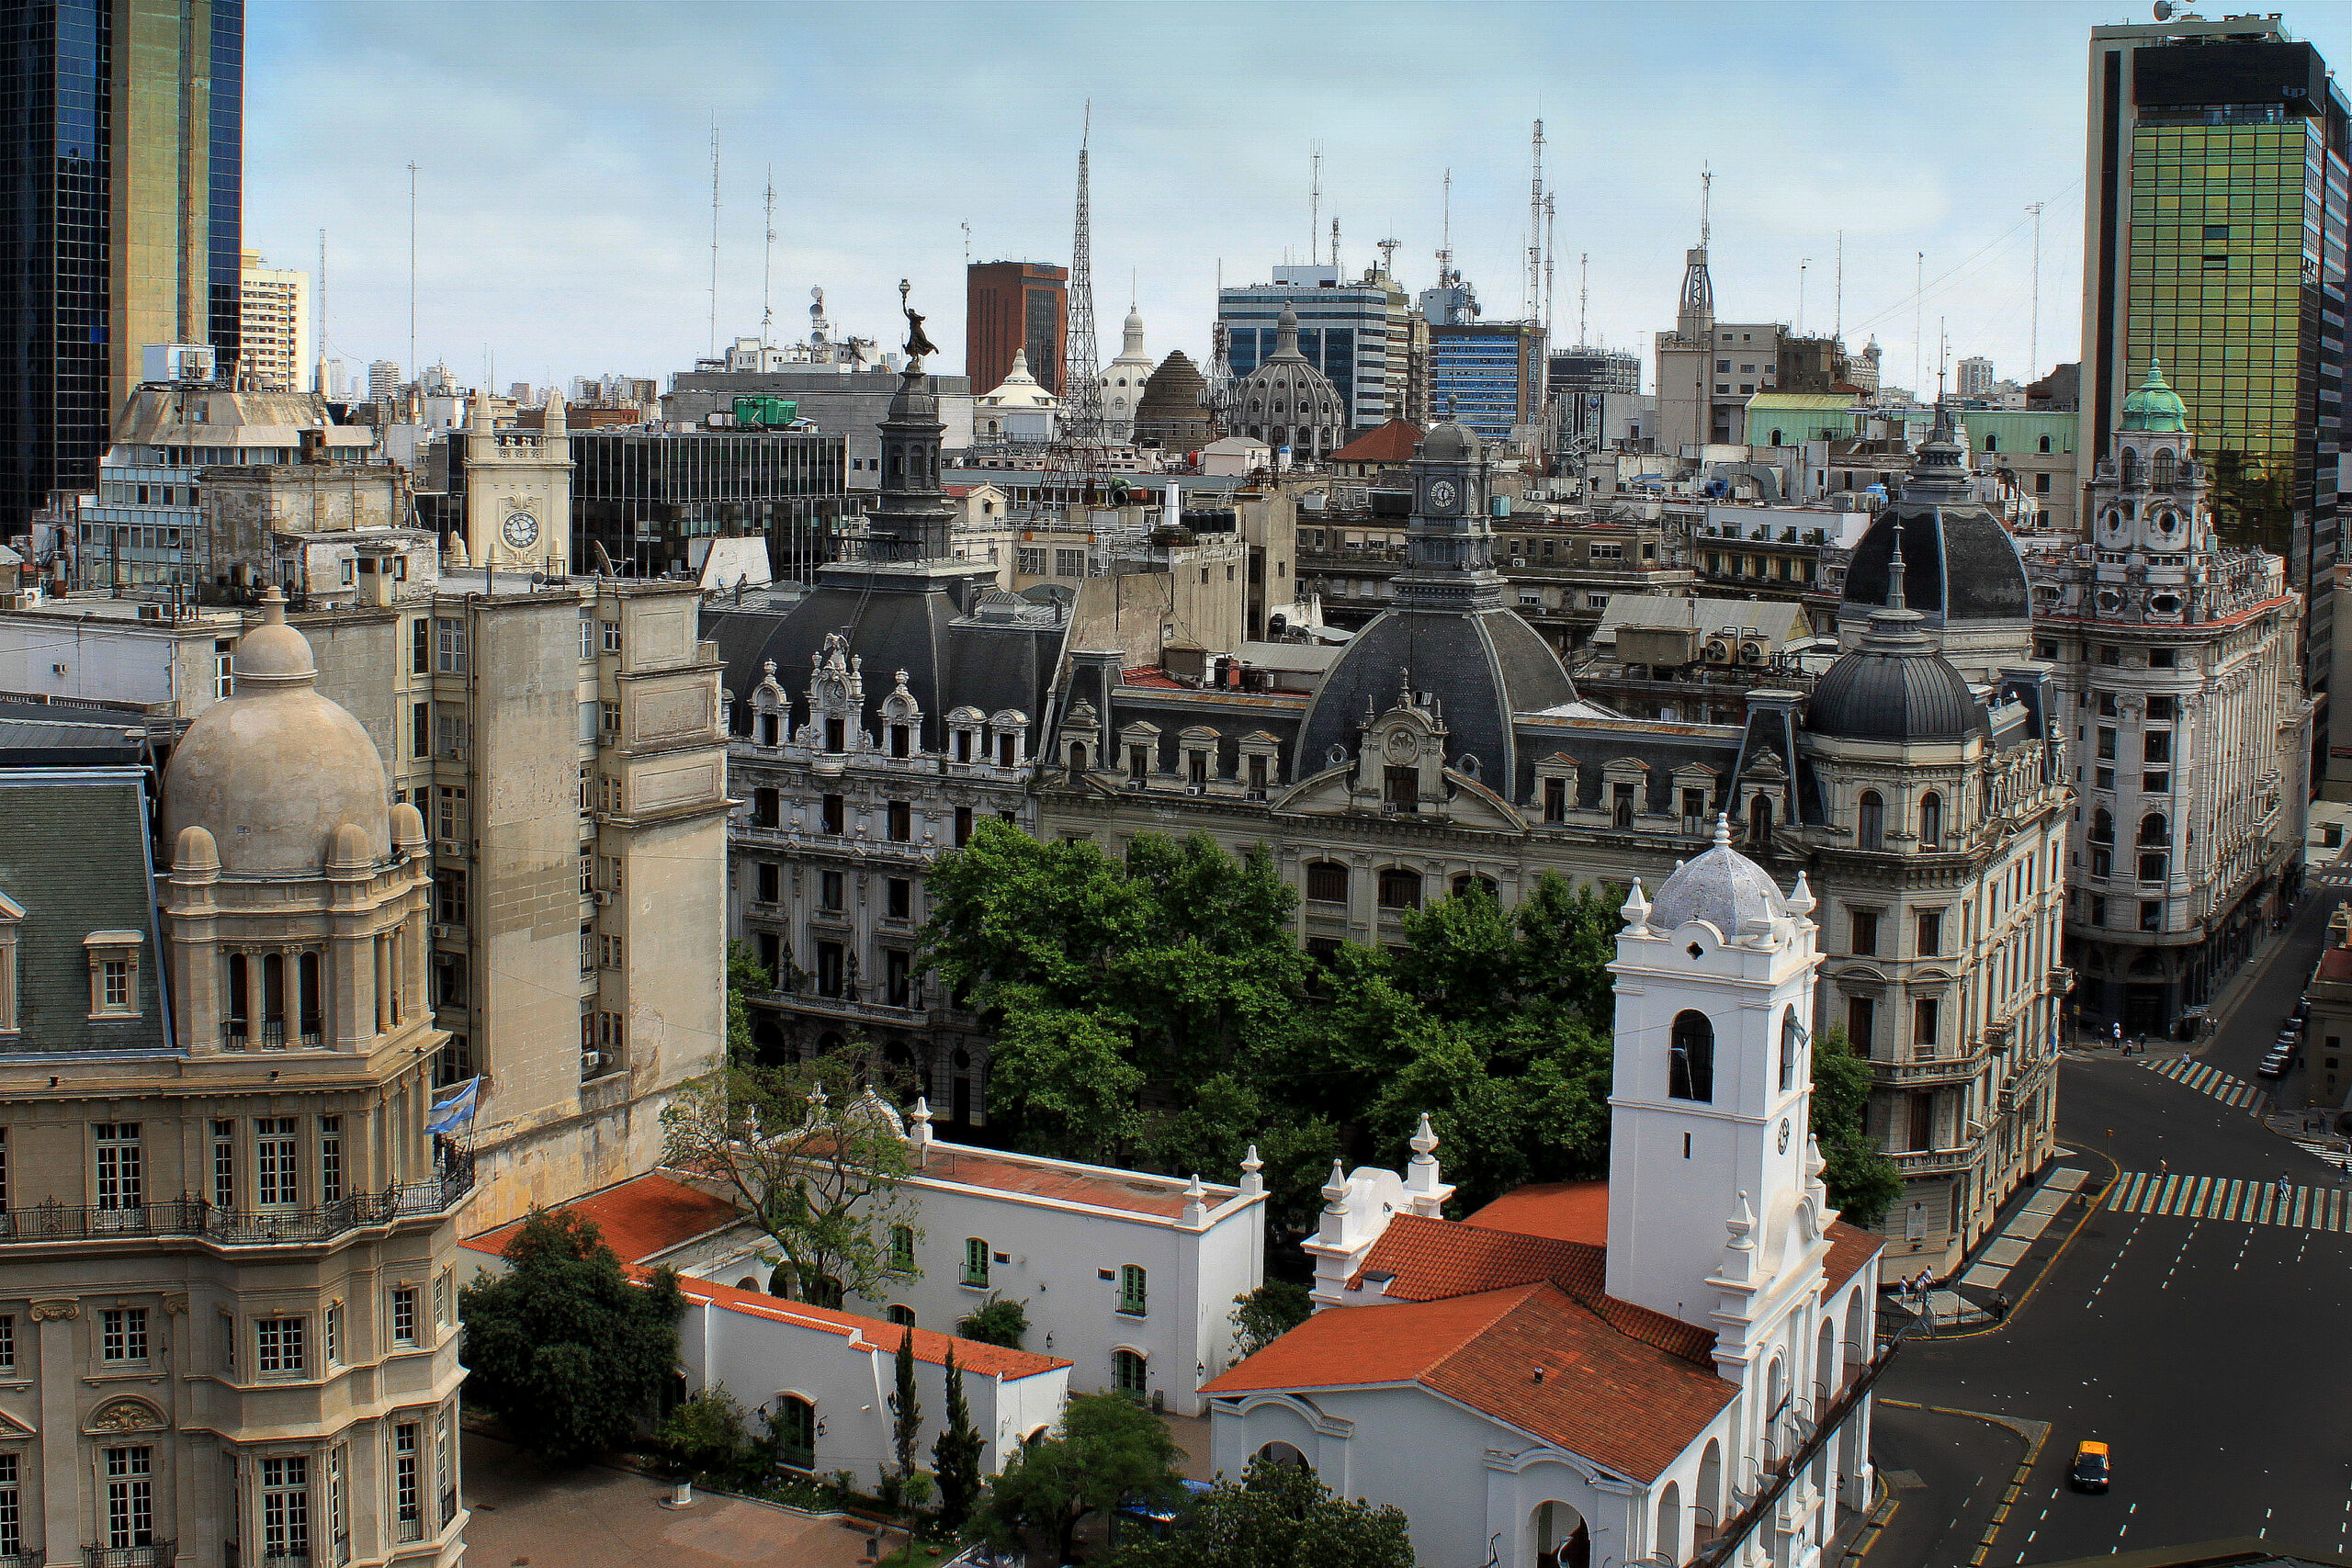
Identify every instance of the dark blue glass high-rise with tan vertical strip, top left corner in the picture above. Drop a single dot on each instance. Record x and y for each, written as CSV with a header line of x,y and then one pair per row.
x,y
119,215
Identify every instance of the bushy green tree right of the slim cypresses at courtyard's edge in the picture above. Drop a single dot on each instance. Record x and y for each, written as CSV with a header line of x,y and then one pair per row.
x,y
1104,1452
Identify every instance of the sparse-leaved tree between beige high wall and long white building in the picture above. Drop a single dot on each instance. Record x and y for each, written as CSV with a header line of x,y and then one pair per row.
x,y
813,1162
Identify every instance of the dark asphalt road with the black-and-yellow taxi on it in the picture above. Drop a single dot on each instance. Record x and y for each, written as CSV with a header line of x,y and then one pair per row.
x,y
2210,1353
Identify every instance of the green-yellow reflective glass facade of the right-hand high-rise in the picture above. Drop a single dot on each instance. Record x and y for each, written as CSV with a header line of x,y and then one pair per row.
x,y
2229,246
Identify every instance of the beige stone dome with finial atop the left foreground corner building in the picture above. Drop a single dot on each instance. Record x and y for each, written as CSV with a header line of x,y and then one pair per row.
x,y
276,770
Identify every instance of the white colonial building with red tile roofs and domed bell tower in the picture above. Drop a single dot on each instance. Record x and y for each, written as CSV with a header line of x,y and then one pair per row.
x,y
1608,1372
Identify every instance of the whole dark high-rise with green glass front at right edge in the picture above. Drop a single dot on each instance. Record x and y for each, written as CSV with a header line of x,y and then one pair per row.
x,y
2214,243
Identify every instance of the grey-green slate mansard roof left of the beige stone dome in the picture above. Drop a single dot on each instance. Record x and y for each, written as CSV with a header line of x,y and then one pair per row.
x,y
74,857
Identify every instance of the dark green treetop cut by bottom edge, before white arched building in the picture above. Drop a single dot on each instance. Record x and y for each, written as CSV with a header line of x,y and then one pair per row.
x,y
1278,1517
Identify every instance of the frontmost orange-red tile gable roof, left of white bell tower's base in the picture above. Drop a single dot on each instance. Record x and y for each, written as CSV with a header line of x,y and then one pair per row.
x,y
1612,1400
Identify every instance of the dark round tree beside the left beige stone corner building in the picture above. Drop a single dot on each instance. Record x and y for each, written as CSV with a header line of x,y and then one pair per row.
x,y
566,1348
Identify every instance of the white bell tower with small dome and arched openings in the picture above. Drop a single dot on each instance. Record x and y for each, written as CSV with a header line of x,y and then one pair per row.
x,y
1713,1092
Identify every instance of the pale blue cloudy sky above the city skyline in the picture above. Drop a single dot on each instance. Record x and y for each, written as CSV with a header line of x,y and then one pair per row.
x,y
563,163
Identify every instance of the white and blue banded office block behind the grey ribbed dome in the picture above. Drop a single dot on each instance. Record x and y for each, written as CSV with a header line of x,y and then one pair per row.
x,y
1347,330
